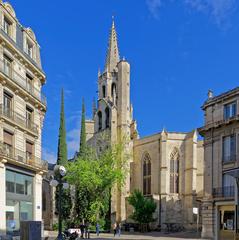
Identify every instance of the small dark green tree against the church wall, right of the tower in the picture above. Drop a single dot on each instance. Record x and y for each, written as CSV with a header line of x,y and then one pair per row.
x,y
143,207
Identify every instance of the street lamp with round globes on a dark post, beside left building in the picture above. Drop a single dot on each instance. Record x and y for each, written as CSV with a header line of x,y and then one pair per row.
x,y
59,173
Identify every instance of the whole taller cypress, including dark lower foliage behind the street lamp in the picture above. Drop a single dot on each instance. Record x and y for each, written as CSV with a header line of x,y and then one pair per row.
x,y
62,160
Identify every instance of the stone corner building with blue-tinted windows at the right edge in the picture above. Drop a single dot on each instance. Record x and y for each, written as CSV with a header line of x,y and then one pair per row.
x,y
221,135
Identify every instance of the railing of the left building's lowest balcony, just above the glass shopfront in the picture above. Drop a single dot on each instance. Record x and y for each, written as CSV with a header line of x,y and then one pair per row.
x,y
22,157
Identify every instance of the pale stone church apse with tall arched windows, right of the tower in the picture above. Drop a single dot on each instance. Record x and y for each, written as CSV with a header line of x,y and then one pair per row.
x,y
168,167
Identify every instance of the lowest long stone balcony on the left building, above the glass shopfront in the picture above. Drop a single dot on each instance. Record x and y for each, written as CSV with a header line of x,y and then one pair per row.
x,y
14,156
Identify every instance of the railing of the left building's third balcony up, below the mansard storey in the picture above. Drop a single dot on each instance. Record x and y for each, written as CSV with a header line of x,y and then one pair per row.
x,y
20,80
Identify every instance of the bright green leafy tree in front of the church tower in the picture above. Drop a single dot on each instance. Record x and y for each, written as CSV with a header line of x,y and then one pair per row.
x,y
94,175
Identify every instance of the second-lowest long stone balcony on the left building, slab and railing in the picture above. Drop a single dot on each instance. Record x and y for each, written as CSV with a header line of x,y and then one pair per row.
x,y
15,118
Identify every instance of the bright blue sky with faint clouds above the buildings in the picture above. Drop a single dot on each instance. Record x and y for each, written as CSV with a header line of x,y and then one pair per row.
x,y
178,49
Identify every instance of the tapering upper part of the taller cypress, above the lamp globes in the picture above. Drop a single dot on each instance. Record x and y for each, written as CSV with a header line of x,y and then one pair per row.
x,y
62,147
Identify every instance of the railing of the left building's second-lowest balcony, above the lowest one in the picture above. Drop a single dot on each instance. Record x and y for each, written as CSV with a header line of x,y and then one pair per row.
x,y
19,119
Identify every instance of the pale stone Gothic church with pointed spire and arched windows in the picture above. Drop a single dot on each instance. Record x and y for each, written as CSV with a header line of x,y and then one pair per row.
x,y
167,166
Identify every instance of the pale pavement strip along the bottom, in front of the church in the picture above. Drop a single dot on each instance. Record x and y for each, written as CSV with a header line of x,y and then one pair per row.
x,y
148,236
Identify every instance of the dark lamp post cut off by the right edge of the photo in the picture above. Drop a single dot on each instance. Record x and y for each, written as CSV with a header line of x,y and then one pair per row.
x,y
235,174
